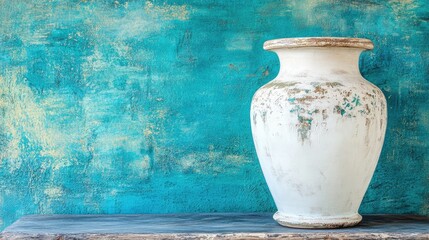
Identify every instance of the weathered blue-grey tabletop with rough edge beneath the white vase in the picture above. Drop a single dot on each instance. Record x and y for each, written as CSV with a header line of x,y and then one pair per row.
x,y
203,226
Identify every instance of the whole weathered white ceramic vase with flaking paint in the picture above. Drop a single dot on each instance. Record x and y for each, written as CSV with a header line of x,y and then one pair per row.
x,y
318,129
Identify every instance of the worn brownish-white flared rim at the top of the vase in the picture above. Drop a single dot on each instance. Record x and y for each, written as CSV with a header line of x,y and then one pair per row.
x,y
319,42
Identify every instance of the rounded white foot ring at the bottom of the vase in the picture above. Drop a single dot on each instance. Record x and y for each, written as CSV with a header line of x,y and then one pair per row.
x,y
321,222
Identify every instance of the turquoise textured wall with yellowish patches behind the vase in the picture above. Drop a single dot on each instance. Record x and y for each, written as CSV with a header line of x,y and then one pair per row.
x,y
143,106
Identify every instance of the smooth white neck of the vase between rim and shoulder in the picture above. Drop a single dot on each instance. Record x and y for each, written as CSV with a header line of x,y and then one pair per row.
x,y
318,61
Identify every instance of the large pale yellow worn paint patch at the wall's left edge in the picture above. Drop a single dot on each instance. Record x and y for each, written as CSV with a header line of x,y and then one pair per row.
x,y
25,117
